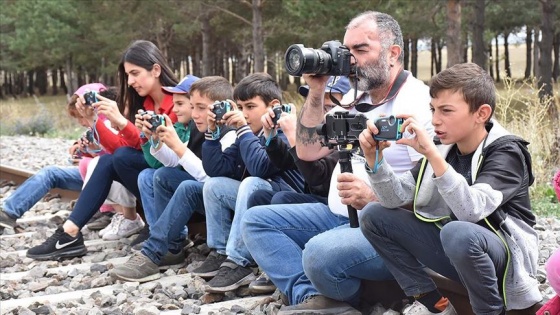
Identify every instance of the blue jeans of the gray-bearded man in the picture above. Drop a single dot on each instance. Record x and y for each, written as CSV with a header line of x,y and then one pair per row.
x,y
307,250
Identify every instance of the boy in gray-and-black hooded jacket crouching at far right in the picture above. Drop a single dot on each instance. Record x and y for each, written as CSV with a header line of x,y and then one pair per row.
x,y
471,218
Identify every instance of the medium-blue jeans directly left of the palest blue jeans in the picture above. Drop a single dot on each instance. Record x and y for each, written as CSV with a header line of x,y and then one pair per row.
x,y
168,232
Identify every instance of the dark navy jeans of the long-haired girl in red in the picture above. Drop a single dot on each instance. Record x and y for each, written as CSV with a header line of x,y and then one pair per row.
x,y
123,166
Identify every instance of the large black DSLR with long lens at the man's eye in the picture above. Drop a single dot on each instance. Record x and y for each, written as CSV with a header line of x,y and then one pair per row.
x,y
331,59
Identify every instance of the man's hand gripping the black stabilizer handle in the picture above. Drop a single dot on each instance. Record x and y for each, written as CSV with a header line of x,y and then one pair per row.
x,y
354,191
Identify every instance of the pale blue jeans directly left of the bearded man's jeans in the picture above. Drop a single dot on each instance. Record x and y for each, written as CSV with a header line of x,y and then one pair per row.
x,y
224,197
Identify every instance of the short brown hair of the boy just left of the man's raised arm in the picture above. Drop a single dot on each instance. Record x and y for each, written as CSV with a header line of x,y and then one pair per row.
x,y
258,84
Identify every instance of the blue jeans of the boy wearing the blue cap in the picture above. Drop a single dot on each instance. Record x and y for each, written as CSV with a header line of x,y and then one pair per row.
x,y
156,189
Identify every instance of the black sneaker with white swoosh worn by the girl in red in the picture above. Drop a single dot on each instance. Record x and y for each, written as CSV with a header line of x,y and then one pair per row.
x,y
59,245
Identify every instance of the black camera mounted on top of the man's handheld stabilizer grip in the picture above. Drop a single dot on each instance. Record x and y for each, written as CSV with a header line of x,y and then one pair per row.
x,y
342,128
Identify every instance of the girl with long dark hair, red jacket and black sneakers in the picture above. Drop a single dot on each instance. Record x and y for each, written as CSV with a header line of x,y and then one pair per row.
x,y
141,74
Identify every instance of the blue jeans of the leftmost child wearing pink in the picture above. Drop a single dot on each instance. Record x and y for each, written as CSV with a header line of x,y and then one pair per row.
x,y
38,185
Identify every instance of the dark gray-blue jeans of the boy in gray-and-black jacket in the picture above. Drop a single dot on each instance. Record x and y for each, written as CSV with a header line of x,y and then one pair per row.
x,y
461,251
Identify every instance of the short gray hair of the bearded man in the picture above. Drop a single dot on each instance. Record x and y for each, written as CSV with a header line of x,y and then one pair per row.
x,y
389,29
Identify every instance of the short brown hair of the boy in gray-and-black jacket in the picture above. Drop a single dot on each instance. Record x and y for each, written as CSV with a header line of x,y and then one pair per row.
x,y
469,79
